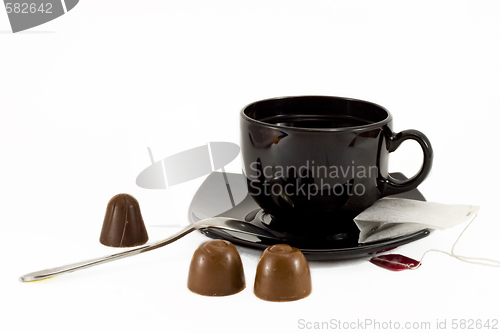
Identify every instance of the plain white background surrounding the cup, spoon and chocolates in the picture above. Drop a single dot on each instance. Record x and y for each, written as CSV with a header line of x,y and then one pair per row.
x,y
82,97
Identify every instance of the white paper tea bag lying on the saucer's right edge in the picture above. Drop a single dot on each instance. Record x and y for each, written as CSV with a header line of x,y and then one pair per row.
x,y
394,217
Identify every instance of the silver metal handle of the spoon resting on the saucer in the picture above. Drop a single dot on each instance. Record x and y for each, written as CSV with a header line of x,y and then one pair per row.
x,y
51,272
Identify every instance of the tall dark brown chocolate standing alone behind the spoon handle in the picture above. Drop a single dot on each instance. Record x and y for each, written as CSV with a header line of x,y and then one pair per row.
x,y
123,225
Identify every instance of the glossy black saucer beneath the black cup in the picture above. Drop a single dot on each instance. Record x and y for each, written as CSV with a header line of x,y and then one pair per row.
x,y
225,194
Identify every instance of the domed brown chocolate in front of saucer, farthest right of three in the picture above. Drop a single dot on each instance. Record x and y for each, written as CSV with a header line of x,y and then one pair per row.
x,y
282,274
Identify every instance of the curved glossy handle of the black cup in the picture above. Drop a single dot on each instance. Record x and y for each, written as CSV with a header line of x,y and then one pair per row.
x,y
393,186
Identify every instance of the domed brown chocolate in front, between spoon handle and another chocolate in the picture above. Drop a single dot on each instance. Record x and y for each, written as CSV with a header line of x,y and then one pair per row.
x,y
216,269
